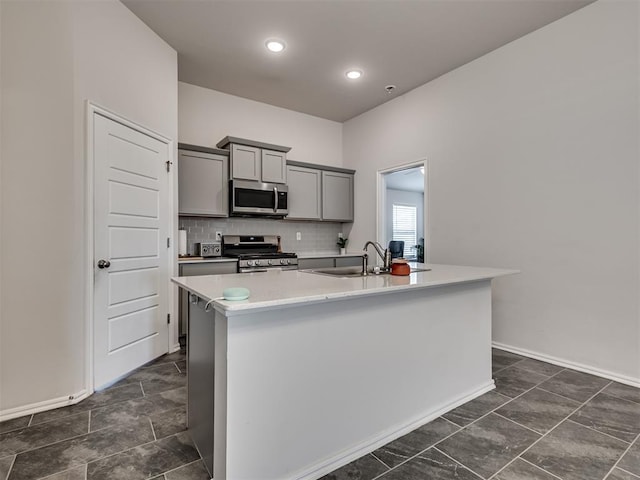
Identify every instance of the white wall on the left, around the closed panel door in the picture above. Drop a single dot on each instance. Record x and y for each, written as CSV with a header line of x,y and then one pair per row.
x,y
56,55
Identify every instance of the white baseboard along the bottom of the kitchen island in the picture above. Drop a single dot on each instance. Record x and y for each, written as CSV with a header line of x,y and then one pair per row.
x,y
373,443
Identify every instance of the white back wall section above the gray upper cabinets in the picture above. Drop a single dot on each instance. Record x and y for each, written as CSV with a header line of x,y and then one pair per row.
x,y
206,116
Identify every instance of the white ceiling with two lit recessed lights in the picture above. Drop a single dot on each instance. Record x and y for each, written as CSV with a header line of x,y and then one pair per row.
x,y
406,43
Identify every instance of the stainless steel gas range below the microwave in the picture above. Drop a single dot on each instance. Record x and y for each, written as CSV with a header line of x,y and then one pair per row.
x,y
258,253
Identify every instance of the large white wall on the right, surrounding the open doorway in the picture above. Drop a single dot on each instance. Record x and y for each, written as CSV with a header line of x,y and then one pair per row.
x,y
533,164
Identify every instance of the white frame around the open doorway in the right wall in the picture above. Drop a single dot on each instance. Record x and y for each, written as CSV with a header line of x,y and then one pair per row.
x,y
381,201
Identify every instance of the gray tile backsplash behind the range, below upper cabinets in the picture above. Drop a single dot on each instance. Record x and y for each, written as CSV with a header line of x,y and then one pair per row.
x,y
316,237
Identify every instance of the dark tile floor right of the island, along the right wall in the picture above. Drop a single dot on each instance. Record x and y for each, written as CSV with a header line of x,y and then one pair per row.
x,y
542,422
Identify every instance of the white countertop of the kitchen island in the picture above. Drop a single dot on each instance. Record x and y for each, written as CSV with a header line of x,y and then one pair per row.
x,y
277,289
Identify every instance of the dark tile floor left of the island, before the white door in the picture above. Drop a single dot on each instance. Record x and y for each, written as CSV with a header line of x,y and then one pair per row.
x,y
133,430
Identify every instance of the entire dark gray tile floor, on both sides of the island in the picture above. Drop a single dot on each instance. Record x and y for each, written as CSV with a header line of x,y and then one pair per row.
x,y
542,422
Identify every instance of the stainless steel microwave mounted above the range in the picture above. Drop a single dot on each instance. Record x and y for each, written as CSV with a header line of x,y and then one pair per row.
x,y
256,198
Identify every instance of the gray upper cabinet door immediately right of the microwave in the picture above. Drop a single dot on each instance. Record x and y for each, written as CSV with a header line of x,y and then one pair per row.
x,y
305,193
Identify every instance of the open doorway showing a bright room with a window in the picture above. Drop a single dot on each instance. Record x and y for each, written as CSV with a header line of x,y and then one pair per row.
x,y
402,209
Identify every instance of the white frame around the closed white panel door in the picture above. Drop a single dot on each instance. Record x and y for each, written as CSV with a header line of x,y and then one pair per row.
x,y
91,110
